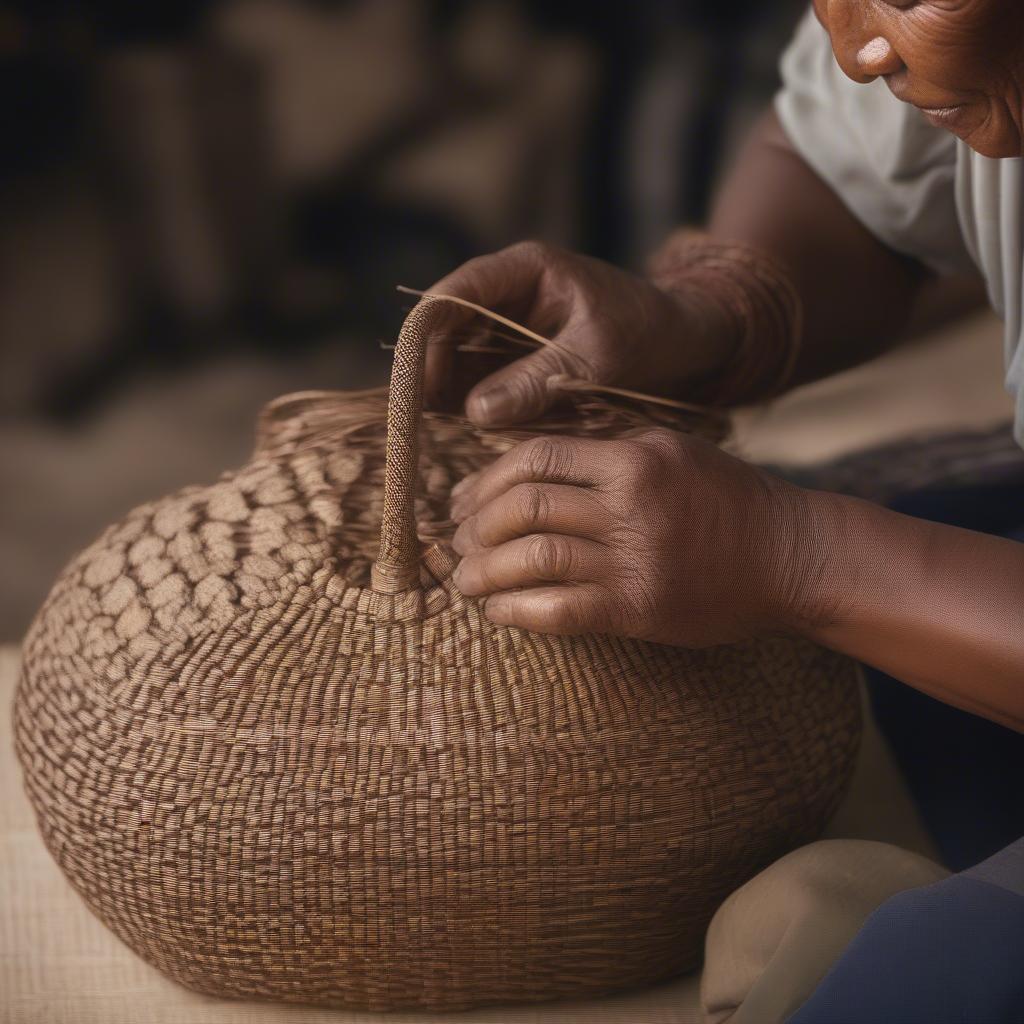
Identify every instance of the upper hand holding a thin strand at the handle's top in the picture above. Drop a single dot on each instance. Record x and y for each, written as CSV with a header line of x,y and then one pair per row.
x,y
619,330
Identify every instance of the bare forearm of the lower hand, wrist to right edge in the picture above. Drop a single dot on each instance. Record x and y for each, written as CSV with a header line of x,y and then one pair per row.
x,y
938,608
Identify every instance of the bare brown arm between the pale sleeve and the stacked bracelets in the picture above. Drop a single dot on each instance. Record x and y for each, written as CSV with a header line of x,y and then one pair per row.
x,y
858,295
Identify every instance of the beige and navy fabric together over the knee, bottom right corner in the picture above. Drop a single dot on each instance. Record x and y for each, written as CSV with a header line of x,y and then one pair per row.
x,y
850,932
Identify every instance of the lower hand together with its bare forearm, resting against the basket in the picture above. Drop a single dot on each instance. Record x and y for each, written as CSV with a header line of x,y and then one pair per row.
x,y
666,538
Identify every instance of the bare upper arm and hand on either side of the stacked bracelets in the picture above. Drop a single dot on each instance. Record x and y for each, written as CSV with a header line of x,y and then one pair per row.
x,y
615,328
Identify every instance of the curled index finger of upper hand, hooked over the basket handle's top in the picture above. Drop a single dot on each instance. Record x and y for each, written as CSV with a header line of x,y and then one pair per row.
x,y
505,281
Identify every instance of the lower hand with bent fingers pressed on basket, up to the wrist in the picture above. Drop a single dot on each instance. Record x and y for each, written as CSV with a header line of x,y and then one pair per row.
x,y
660,537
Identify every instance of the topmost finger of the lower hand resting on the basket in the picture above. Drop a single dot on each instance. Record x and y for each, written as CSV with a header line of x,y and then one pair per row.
x,y
576,461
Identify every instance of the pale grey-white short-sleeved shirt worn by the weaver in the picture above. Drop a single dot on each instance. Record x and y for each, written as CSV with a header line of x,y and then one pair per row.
x,y
915,187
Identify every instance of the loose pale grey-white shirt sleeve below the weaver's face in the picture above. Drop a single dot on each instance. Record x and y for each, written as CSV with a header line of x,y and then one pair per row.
x,y
892,169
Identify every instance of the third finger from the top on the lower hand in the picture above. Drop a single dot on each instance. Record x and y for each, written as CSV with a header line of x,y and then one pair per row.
x,y
531,562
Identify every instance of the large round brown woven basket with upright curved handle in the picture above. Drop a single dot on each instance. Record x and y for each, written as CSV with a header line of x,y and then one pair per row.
x,y
279,770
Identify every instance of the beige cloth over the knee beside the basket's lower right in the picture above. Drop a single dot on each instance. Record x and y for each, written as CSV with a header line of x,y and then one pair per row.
x,y
775,940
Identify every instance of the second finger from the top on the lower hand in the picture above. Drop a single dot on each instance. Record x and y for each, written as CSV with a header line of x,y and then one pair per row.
x,y
534,508
